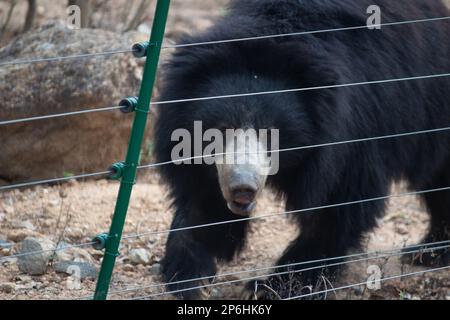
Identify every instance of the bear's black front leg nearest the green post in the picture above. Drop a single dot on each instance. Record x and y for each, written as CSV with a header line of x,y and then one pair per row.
x,y
192,254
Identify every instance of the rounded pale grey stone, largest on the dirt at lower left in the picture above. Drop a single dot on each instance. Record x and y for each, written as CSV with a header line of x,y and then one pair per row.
x,y
35,264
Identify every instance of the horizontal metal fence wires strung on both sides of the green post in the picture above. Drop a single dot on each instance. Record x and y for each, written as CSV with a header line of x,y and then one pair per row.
x,y
360,257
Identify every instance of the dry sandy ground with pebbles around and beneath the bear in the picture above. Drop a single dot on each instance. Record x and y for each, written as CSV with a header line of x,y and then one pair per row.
x,y
76,211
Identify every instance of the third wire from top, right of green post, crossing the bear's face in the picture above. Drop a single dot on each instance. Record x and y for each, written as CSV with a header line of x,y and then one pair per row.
x,y
329,144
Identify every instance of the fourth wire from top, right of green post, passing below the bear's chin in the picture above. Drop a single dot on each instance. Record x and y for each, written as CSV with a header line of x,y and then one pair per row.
x,y
272,215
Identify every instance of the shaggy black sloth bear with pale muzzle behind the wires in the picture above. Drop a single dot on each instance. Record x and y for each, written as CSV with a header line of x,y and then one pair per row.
x,y
311,177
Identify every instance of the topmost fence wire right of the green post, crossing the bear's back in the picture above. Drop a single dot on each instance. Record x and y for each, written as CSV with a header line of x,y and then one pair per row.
x,y
182,45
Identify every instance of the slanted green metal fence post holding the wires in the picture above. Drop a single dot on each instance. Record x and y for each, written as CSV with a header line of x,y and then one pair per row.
x,y
129,167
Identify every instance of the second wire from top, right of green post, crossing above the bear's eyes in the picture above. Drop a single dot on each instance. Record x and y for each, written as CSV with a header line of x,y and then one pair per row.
x,y
335,86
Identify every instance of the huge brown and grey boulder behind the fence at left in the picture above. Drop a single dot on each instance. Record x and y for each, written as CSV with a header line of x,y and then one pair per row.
x,y
43,149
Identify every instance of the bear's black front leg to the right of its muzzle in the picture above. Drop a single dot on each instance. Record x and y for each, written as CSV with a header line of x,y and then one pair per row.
x,y
311,264
